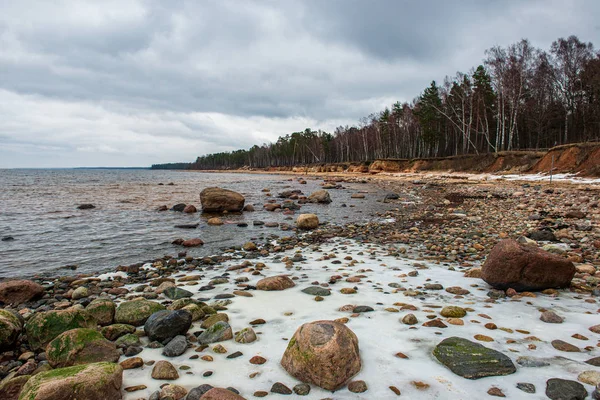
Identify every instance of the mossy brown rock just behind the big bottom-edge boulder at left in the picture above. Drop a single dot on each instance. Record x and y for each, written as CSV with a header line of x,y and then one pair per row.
x,y
80,346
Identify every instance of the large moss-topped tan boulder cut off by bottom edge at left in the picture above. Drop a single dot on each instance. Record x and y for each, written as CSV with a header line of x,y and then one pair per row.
x,y
98,381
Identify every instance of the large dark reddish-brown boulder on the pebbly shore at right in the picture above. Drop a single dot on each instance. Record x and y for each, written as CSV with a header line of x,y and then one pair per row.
x,y
525,267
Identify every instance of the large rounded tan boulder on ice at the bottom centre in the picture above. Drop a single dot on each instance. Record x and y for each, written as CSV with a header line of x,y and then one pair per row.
x,y
324,353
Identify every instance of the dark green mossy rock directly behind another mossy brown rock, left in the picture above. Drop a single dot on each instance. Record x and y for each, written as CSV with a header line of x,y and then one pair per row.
x,y
44,327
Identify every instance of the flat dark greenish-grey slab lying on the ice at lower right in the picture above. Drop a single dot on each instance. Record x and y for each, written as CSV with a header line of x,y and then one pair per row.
x,y
472,360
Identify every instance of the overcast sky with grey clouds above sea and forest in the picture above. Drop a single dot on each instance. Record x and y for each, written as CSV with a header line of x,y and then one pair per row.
x,y
134,83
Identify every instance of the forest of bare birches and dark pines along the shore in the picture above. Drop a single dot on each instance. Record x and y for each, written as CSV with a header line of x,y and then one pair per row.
x,y
520,97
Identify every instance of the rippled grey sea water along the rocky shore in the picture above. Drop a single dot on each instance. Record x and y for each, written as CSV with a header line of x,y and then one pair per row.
x,y
38,208
